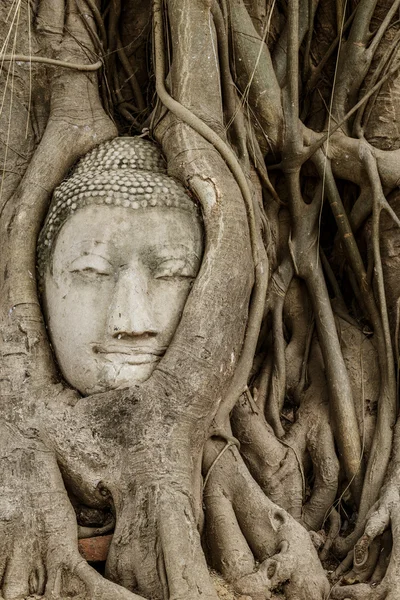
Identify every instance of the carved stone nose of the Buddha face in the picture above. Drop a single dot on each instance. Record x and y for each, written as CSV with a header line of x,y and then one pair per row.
x,y
130,312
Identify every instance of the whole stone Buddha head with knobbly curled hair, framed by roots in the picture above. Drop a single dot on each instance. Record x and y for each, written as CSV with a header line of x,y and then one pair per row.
x,y
117,255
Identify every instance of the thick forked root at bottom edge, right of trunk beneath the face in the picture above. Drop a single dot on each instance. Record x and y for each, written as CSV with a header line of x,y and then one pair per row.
x,y
243,526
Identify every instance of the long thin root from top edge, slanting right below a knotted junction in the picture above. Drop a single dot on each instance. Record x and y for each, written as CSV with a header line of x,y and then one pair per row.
x,y
307,265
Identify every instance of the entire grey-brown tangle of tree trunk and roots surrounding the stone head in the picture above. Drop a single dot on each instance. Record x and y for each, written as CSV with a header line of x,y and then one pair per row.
x,y
265,444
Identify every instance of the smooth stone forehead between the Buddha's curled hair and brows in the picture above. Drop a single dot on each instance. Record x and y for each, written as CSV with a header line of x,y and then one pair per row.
x,y
125,231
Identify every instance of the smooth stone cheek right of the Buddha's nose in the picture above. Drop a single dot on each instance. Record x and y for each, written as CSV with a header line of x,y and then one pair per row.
x,y
169,298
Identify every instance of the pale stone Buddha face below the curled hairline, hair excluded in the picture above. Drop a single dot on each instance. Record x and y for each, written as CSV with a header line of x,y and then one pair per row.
x,y
115,291
